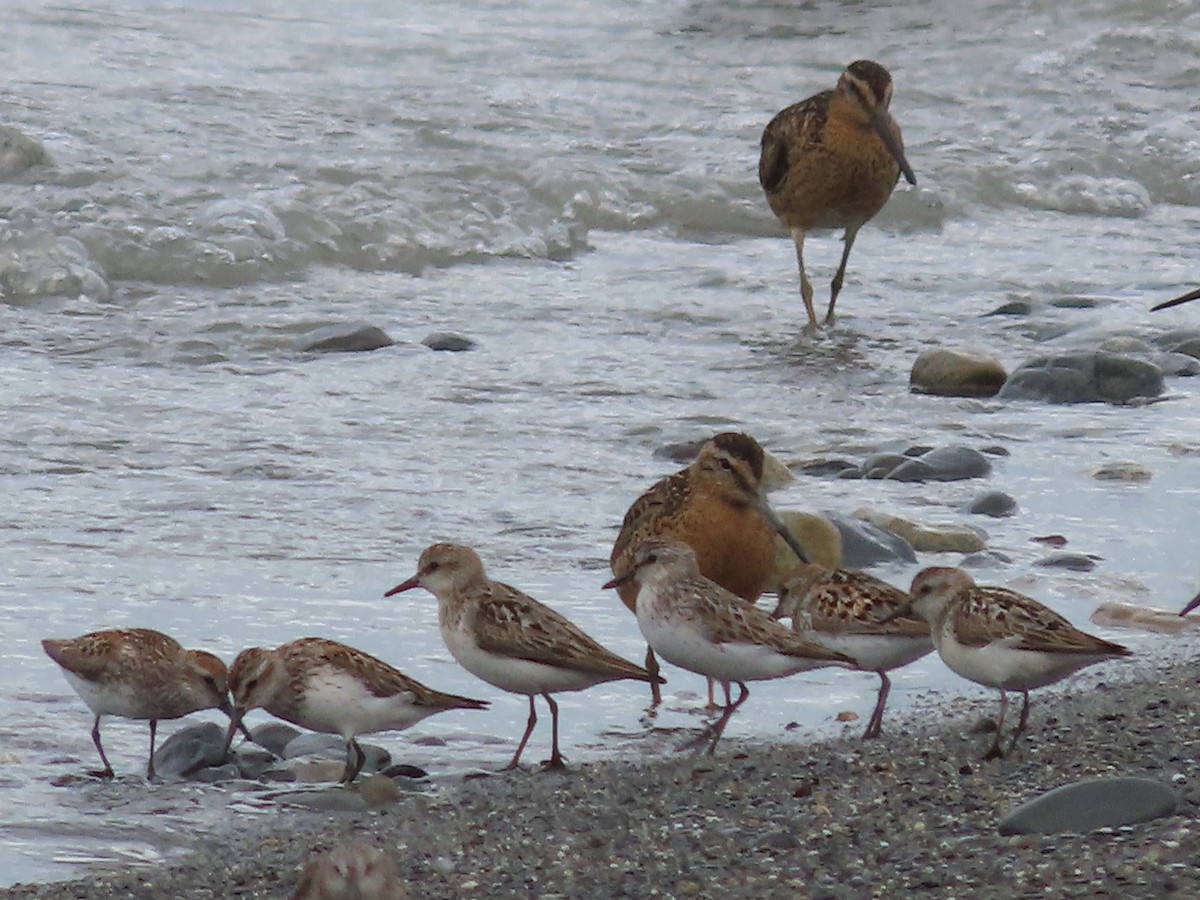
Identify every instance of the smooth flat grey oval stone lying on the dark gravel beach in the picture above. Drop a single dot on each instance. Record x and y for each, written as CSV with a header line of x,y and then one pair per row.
x,y
1091,805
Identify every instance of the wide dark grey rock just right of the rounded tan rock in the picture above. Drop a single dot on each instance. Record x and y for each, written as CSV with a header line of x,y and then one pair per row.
x,y
1084,377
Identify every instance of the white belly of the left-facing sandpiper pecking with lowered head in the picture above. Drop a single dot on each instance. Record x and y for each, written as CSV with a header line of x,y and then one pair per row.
x,y
338,704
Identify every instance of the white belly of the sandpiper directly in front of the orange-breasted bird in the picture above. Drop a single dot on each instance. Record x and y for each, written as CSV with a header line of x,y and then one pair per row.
x,y
677,641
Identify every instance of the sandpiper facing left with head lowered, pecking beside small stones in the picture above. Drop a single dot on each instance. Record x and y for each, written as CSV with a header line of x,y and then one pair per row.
x,y
325,686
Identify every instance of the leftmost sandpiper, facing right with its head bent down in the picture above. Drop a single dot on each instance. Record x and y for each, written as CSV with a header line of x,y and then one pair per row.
x,y
139,674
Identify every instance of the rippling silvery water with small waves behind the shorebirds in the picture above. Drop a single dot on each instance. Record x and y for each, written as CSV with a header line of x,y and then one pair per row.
x,y
574,188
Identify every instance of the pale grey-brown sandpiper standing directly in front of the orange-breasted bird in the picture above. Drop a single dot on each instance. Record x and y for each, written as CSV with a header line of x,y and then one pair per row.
x,y
699,626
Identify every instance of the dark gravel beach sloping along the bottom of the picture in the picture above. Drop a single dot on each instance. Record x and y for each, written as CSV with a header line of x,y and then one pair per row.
x,y
915,812
